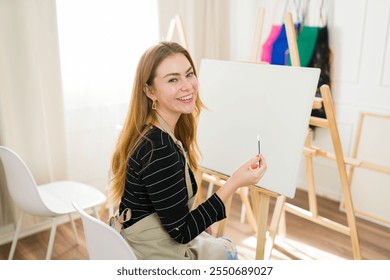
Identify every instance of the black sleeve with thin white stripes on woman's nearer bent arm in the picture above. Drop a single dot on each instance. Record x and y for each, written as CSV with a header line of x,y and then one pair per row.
x,y
164,179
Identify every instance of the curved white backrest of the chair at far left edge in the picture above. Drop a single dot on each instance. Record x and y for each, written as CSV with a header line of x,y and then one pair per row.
x,y
21,184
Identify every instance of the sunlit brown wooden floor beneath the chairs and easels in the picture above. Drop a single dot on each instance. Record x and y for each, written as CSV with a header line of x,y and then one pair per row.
x,y
304,239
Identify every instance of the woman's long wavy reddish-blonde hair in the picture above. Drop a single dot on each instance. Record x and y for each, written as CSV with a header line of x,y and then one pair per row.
x,y
141,114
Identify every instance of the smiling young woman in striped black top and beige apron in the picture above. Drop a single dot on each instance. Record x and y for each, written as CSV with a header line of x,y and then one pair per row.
x,y
155,159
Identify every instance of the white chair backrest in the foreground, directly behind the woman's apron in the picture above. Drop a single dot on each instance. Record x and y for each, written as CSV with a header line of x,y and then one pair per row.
x,y
103,242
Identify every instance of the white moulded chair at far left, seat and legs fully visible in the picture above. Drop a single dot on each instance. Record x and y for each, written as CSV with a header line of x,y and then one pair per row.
x,y
50,200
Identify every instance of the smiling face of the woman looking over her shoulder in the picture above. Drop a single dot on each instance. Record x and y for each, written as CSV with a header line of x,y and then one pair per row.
x,y
175,87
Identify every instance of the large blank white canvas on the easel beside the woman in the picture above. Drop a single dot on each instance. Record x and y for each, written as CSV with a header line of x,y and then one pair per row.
x,y
245,100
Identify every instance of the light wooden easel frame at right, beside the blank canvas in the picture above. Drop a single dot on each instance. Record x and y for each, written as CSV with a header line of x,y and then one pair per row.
x,y
309,153
